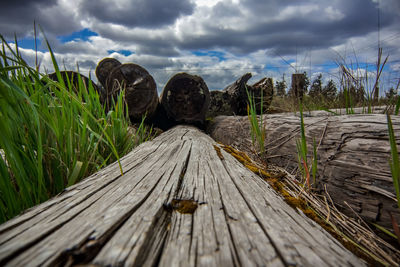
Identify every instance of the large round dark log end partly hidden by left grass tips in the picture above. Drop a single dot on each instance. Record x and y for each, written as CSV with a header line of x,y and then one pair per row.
x,y
140,89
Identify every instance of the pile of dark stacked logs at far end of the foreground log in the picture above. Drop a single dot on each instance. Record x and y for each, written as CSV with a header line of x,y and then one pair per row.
x,y
184,99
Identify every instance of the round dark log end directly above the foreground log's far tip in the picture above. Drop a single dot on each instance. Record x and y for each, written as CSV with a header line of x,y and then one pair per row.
x,y
186,98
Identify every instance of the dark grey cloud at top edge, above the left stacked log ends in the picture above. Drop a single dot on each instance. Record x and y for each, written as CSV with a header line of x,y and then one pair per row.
x,y
138,13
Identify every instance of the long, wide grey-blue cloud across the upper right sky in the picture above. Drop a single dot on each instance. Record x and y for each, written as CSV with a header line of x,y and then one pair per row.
x,y
326,24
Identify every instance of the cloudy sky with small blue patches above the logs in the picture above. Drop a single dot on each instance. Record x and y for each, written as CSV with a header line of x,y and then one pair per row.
x,y
219,40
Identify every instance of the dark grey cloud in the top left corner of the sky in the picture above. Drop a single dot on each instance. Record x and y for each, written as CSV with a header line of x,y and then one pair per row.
x,y
18,17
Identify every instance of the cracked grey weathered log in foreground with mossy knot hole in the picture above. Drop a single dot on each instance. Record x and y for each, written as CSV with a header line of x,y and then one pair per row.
x,y
180,202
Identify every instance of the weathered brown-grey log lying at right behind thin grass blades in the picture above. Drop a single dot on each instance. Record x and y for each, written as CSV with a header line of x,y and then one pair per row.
x,y
353,156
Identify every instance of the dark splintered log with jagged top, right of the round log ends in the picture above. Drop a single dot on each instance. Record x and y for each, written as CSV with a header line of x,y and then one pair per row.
x,y
233,100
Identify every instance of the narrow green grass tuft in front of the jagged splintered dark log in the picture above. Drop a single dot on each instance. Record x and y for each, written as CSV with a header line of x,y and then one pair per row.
x,y
257,124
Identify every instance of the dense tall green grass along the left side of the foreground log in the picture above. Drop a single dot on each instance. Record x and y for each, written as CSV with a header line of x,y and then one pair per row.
x,y
52,137
